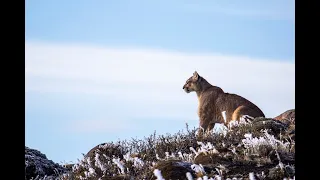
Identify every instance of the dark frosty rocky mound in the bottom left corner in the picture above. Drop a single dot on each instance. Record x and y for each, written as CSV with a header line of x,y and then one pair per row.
x,y
37,165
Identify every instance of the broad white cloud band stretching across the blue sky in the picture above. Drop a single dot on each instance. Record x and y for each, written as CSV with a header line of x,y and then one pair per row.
x,y
151,81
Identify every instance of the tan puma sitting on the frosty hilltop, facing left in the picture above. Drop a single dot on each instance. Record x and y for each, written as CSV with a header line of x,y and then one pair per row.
x,y
213,101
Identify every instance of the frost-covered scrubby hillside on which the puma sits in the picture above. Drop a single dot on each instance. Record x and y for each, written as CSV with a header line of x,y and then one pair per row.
x,y
263,148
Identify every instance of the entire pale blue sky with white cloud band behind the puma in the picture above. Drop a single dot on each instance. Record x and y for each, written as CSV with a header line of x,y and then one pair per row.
x,y
99,71
